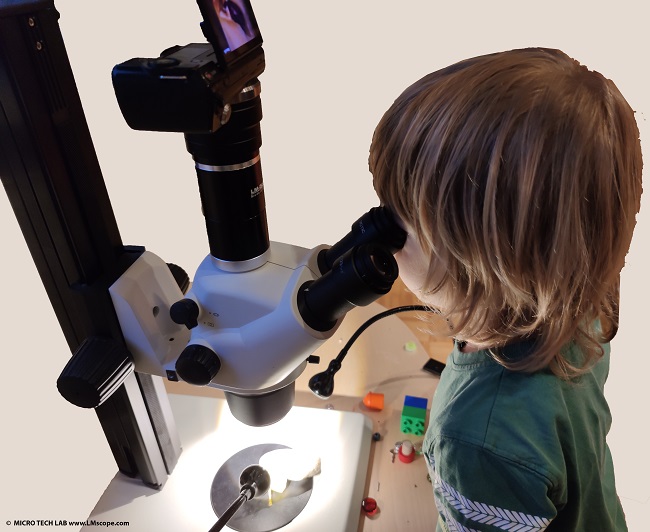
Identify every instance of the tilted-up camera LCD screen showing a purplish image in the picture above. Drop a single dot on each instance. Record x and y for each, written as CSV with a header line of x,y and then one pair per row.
x,y
232,28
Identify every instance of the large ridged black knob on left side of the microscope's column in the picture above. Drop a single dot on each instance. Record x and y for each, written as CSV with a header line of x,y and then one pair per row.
x,y
95,371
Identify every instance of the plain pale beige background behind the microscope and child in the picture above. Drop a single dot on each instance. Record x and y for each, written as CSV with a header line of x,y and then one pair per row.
x,y
332,70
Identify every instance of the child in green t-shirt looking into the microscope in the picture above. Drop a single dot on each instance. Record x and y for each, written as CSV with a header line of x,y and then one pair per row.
x,y
517,176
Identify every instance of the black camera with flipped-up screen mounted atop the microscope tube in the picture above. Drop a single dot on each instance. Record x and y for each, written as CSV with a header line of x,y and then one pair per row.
x,y
189,89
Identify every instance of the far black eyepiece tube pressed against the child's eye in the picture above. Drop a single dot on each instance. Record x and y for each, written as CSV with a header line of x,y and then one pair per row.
x,y
377,226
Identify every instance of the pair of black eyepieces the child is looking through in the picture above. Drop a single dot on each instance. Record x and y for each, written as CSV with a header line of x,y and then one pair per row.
x,y
357,270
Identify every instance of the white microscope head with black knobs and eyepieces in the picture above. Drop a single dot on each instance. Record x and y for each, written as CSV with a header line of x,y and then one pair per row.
x,y
252,333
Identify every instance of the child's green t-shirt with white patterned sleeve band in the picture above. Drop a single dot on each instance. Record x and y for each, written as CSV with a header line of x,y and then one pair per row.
x,y
514,451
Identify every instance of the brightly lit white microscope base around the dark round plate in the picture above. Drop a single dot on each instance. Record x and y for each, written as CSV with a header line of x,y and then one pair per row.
x,y
210,436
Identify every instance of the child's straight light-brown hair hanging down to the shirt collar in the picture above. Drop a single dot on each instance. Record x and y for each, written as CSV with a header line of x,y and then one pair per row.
x,y
520,174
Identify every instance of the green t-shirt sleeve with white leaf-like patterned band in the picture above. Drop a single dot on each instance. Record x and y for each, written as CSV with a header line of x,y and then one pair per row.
x,y
477,489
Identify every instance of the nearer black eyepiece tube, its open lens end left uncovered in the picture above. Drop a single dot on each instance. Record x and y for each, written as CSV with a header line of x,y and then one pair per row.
x,y
359,277
